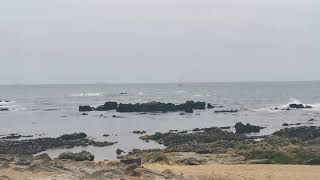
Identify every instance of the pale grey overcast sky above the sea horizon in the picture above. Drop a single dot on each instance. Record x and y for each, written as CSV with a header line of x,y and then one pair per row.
x,y
88,41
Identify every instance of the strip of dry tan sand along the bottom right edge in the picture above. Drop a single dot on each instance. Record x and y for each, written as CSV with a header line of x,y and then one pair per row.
x,y
244,172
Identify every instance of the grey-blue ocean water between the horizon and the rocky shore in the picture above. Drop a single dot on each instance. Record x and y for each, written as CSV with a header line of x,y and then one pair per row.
x,y
52,110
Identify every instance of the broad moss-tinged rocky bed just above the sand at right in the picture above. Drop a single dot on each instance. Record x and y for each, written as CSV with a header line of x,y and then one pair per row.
x,y
299,145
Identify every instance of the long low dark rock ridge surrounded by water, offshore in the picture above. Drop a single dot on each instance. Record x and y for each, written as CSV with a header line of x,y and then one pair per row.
x,y
188,107
